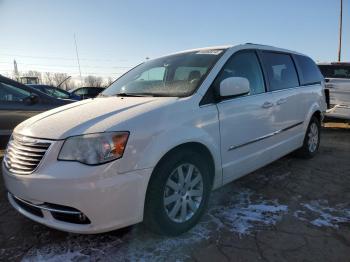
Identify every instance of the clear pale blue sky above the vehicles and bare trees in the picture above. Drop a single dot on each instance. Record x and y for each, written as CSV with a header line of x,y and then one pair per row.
x,y
113,36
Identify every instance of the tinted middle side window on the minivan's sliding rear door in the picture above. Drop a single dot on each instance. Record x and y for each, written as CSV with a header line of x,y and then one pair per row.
x,y
280,70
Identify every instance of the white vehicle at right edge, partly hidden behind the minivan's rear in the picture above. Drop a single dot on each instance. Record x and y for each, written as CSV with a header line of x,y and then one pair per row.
x,y
337,77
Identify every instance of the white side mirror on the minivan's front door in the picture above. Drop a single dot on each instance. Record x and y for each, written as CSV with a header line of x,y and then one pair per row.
x,y
234,86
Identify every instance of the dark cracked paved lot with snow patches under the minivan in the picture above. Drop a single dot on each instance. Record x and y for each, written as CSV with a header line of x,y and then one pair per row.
x,y
291,210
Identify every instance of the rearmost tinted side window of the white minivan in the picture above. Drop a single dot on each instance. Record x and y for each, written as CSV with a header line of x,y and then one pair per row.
x,y
309,72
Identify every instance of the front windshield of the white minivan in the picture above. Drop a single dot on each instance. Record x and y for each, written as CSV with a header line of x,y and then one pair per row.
x,y
175,75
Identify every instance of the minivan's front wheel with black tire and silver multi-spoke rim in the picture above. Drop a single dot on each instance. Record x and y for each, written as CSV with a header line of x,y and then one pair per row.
x,y
168,189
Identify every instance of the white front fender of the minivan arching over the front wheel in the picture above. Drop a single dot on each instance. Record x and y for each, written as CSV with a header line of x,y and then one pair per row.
x,y
147,146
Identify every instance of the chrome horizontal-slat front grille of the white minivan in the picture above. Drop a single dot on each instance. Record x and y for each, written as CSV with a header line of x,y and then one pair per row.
x,y
23,154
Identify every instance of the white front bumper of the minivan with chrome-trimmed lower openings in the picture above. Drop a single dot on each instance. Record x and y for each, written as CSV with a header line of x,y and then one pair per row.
x,y
107,200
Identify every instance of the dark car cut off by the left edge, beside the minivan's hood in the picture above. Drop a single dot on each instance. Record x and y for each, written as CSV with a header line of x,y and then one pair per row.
x,y
19,102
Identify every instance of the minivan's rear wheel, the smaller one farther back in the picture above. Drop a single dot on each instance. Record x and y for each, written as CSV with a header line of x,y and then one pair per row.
x,y
311,140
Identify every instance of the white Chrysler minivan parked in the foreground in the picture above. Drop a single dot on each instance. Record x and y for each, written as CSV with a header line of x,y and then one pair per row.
x,y
155,143
